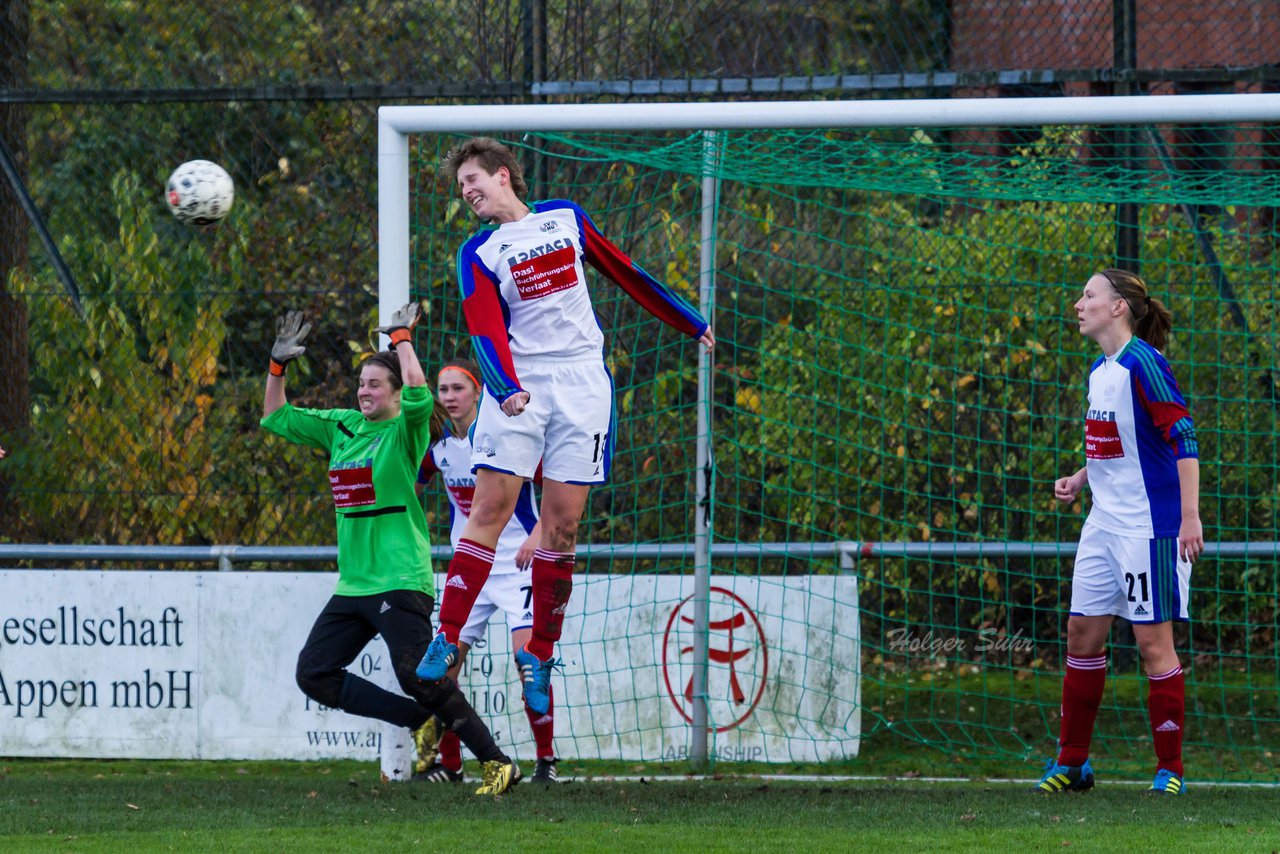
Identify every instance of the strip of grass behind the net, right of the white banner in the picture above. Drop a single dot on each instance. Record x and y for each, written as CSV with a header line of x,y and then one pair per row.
x,y
1002,723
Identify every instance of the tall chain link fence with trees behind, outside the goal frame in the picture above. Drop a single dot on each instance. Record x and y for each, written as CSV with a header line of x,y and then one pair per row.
x,y
132,349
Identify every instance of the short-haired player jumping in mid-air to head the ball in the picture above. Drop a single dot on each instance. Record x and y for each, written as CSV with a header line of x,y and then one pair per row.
x,y
548,396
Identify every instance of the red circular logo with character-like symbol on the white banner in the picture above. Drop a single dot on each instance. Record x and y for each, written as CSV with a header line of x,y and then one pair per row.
x,y
739,659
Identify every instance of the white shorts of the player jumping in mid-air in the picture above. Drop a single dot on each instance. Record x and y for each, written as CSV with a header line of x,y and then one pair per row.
x,y
568,426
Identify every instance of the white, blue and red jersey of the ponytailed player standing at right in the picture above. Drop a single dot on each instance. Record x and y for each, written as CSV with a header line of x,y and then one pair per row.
x,y
1136,432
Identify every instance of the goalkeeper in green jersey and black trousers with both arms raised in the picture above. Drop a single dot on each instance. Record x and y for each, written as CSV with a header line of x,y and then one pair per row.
x,y
385,560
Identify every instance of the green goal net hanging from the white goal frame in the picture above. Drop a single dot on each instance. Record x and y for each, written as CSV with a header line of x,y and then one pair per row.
x,y
898,368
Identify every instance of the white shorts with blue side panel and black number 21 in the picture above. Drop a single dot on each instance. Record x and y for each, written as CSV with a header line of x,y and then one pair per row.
x,y
1140,579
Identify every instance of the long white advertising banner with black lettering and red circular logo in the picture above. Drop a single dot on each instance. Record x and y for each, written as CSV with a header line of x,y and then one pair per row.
x,y
200,665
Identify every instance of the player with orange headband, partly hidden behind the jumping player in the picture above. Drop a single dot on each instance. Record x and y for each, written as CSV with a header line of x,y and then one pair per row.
x,y
509,588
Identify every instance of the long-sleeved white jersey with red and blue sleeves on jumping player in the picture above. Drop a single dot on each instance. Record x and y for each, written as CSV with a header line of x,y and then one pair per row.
x,y
525,298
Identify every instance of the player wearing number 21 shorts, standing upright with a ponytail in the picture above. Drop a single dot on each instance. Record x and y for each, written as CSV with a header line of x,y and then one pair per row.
x,y
1144,531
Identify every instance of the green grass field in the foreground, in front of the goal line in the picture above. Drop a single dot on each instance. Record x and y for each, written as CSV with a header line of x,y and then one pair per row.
x,y
135,806
